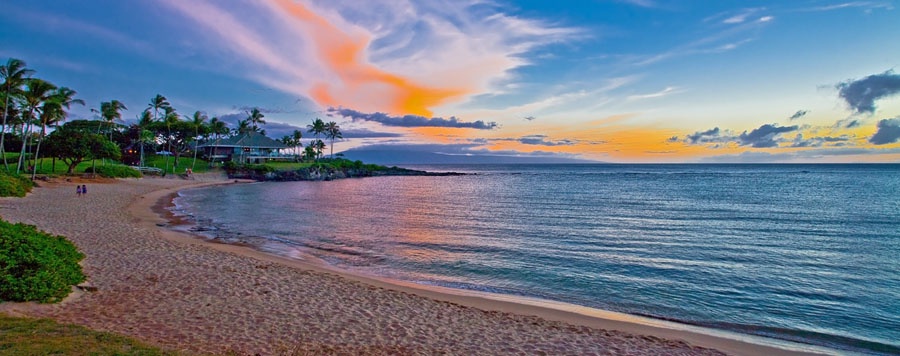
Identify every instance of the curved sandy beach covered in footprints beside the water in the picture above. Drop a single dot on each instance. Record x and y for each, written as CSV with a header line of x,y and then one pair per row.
x,y
183,293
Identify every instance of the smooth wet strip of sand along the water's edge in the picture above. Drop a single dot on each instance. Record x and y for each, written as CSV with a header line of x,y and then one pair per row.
x,y
723,340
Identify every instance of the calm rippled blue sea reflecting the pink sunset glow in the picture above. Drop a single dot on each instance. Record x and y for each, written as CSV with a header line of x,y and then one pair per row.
x,y
809,253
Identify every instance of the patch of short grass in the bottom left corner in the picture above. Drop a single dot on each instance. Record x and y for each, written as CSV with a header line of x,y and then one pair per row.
x,y
23,336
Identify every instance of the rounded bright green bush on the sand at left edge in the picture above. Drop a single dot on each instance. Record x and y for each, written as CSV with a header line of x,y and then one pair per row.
x,y
35,265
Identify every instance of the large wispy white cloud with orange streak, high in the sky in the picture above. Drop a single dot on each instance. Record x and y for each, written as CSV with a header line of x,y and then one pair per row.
x,y
341,53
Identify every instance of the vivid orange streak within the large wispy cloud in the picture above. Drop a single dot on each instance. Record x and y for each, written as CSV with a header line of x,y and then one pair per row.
x,y
344,53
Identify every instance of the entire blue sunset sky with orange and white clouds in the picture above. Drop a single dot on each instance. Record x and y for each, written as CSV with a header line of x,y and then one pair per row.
x,y
628,81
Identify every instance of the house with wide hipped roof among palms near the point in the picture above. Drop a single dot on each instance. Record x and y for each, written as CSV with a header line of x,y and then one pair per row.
x,y
248,147
